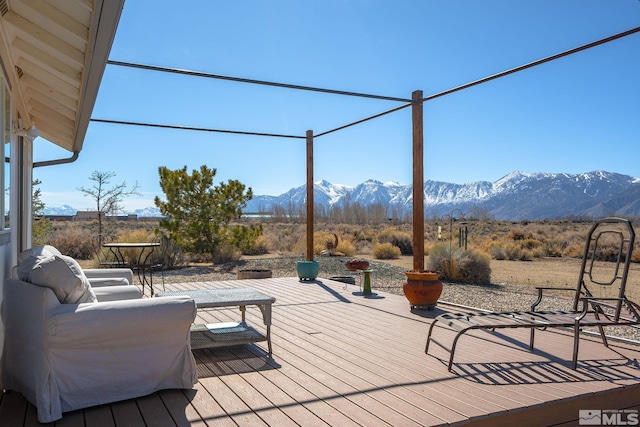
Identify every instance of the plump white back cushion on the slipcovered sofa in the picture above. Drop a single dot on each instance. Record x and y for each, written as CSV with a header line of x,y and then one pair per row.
x,y
63,275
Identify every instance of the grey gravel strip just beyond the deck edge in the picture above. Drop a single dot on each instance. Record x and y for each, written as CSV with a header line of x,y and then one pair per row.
x,y
388,278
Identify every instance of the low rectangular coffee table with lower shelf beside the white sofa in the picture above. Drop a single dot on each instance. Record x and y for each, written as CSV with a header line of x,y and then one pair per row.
x,y
228,333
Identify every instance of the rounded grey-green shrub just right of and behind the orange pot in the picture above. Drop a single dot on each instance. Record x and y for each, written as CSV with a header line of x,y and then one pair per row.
x,y
467,266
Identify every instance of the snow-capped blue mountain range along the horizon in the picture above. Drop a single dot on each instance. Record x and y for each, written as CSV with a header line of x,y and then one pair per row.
x,y
516,196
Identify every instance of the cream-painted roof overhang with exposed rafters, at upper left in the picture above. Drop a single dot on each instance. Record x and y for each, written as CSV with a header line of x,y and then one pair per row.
x,y
54,54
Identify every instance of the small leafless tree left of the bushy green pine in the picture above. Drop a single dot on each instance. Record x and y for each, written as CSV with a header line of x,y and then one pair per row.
x,y
107,198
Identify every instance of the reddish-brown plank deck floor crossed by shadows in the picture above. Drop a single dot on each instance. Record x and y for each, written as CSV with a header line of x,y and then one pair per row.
x,y
341,359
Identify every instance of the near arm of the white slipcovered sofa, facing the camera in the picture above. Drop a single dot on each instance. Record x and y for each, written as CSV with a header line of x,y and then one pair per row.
x,y
130,347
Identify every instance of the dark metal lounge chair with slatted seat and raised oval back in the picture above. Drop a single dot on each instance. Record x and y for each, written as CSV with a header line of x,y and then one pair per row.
x,y
609,246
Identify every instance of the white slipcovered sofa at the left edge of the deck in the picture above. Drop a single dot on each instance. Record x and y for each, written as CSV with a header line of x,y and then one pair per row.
x,y
64,357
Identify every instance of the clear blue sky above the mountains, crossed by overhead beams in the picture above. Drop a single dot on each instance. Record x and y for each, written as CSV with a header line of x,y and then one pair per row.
x,y
576,114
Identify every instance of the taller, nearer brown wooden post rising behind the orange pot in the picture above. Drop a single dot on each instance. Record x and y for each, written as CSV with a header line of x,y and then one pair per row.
x,y
418,180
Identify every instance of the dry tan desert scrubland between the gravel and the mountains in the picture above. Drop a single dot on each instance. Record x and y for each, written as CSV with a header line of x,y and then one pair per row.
x,y
528,243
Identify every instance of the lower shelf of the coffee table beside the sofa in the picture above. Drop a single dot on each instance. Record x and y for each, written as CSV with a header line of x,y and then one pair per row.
x,y
223,335
